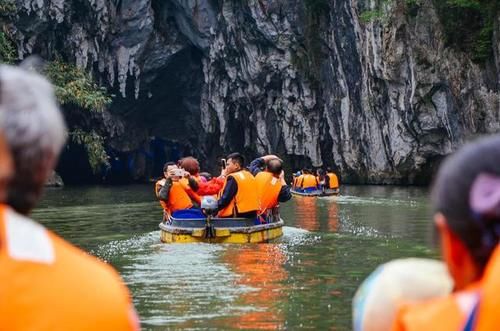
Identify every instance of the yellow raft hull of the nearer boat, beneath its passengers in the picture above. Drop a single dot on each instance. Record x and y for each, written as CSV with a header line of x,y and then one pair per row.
x,y
220,230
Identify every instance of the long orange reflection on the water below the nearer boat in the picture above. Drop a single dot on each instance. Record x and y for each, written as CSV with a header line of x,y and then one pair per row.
x,y
260,268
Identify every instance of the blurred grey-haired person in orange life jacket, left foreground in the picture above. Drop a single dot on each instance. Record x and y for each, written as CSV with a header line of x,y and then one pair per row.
x,y
46,283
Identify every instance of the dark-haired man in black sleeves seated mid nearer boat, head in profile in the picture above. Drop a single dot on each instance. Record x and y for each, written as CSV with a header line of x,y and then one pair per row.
x,y
239,196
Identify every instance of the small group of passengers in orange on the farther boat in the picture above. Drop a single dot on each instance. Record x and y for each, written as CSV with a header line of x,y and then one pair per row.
x,y
306,181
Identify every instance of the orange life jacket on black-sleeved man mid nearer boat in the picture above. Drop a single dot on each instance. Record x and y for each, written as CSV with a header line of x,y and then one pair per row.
x,y
246,198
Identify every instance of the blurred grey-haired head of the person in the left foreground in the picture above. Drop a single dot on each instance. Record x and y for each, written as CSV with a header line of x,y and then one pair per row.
x,y
34,129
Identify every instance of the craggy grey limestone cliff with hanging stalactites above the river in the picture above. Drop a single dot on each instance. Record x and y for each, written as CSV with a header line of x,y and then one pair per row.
x,y
382,102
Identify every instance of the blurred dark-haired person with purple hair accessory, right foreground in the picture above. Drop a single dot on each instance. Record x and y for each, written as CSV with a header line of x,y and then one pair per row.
x,y
466,200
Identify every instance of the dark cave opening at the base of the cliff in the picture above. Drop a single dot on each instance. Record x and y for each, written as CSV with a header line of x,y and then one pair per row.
x,y
162,125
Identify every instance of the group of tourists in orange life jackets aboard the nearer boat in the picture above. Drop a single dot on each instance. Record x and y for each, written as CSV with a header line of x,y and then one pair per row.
x,y
241,192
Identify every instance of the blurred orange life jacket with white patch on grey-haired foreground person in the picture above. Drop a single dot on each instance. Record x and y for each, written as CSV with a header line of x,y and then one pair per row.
x,y
49,284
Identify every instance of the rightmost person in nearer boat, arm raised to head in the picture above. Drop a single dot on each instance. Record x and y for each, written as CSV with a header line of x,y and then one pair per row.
x,y
271,185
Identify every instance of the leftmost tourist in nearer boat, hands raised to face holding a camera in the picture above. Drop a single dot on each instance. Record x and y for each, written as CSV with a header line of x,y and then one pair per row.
x,y
173,194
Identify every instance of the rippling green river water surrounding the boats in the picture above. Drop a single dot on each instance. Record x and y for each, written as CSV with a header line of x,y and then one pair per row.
x,y
305,280
